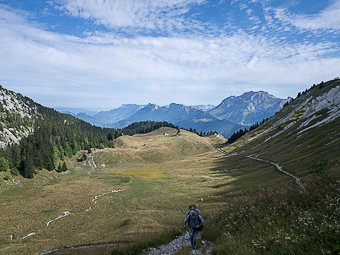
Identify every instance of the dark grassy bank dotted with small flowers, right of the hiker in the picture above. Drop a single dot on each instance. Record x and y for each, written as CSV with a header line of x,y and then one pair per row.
x,y
280,220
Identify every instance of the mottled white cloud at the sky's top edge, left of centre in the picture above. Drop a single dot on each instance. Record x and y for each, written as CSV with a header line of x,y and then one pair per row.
x,y
149,14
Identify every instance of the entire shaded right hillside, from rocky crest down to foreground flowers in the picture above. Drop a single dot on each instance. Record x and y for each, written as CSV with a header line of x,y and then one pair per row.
x,y
285,197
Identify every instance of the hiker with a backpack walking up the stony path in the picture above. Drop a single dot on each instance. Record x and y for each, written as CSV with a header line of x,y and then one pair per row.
x,y
195,222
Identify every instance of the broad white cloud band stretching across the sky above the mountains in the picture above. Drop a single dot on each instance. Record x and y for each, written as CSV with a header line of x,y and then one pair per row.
x,y
145,69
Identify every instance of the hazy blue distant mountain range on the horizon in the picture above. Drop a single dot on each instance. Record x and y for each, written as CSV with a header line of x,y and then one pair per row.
x,y
232,114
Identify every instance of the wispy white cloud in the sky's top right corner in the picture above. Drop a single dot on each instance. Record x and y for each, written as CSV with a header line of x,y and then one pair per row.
x,y
326,19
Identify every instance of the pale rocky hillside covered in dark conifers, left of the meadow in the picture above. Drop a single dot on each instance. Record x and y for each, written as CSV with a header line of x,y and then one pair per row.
x,y
33,137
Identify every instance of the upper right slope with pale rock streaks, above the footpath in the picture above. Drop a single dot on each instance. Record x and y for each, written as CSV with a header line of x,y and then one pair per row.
x,y
304,136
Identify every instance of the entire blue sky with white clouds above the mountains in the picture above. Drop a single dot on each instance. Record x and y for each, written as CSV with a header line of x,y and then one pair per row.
x,y
99,54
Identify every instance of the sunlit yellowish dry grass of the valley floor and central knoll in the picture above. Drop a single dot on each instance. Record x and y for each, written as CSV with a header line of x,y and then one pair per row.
x,y
158,175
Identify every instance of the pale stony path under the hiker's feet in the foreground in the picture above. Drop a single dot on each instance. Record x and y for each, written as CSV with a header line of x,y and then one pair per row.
x,y
178,244
